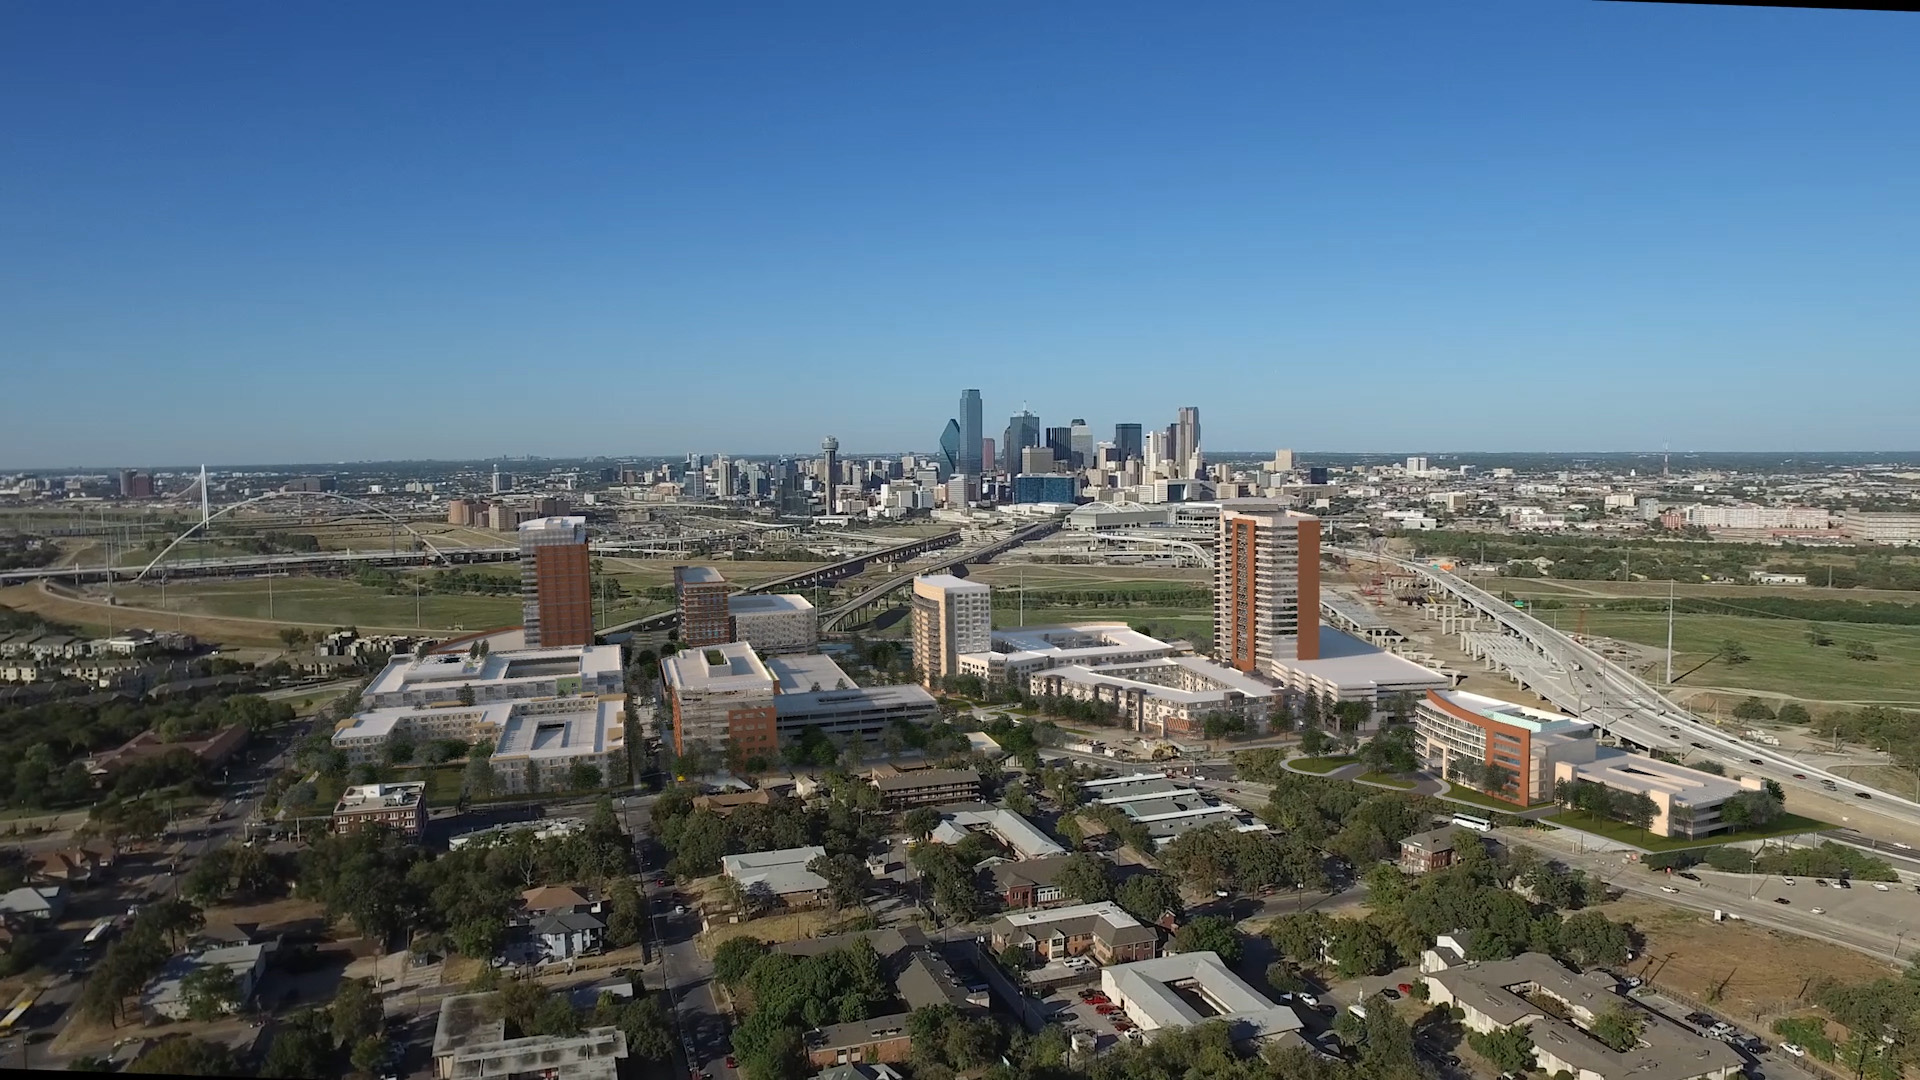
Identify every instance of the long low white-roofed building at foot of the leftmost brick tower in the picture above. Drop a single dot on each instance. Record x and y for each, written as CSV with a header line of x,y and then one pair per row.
x,y
448,679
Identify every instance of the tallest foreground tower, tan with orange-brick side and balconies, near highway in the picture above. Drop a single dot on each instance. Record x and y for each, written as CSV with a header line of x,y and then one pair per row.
x,y
1266,585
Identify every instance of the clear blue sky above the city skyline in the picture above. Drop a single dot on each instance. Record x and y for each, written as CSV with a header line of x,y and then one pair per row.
x,y
360,232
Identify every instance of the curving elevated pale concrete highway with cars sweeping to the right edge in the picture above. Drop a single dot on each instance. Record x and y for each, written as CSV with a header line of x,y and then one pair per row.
x,y
1623,704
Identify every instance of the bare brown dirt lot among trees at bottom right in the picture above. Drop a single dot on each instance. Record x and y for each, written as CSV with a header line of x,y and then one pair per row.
x,y
1746,971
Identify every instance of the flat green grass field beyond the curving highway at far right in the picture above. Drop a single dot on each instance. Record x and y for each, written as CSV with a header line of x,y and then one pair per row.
x,y
1783,660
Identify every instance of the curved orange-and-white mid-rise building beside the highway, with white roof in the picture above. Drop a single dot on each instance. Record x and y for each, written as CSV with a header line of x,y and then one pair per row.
x,y
1452,727
